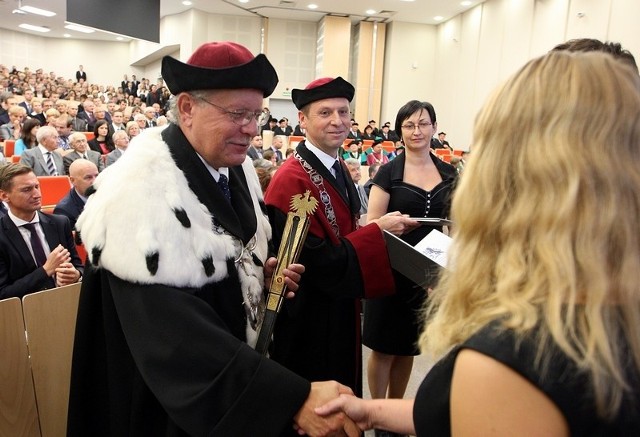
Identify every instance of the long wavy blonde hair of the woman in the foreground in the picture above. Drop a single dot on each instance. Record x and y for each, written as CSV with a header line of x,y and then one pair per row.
x,y
548,220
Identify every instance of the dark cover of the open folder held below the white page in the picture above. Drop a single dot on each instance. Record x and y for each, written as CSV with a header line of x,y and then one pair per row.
x,y
410,262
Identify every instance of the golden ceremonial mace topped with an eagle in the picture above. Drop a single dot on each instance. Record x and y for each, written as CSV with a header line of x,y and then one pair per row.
x,y
293,236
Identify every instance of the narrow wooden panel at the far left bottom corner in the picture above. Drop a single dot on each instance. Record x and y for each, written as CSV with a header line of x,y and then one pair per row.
x,y
18,411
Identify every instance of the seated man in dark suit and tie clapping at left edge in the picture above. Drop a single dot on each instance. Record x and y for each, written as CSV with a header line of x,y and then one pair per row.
x,y
37,251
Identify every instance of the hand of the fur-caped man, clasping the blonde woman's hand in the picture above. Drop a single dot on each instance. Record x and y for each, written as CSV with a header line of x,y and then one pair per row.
x,y
336,424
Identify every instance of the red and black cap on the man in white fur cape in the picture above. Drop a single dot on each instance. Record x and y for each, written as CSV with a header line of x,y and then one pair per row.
x,y
220,65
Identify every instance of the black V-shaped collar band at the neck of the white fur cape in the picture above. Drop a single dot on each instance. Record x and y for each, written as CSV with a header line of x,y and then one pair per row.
x,y
206,189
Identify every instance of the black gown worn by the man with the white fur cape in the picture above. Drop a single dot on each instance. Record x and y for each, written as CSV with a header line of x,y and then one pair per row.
x,y
155,360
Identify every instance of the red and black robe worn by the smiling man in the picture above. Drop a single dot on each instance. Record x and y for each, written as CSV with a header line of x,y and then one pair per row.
x,y
317,334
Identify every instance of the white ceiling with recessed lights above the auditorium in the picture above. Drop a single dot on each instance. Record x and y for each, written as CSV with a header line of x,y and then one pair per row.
x,y
416,11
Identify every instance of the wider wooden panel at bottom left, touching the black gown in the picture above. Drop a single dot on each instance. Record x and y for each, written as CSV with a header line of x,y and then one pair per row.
x,y
50,321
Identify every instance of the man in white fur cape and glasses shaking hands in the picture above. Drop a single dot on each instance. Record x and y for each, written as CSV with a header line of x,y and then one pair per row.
x,y
178,245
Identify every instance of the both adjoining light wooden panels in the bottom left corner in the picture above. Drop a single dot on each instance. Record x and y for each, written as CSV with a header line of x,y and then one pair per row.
x,y
35,374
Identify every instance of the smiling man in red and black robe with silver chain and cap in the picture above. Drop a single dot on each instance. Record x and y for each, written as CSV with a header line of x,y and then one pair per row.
x,y
317,335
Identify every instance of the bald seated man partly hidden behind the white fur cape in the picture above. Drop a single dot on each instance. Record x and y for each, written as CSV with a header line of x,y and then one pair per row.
x,y
82,173
